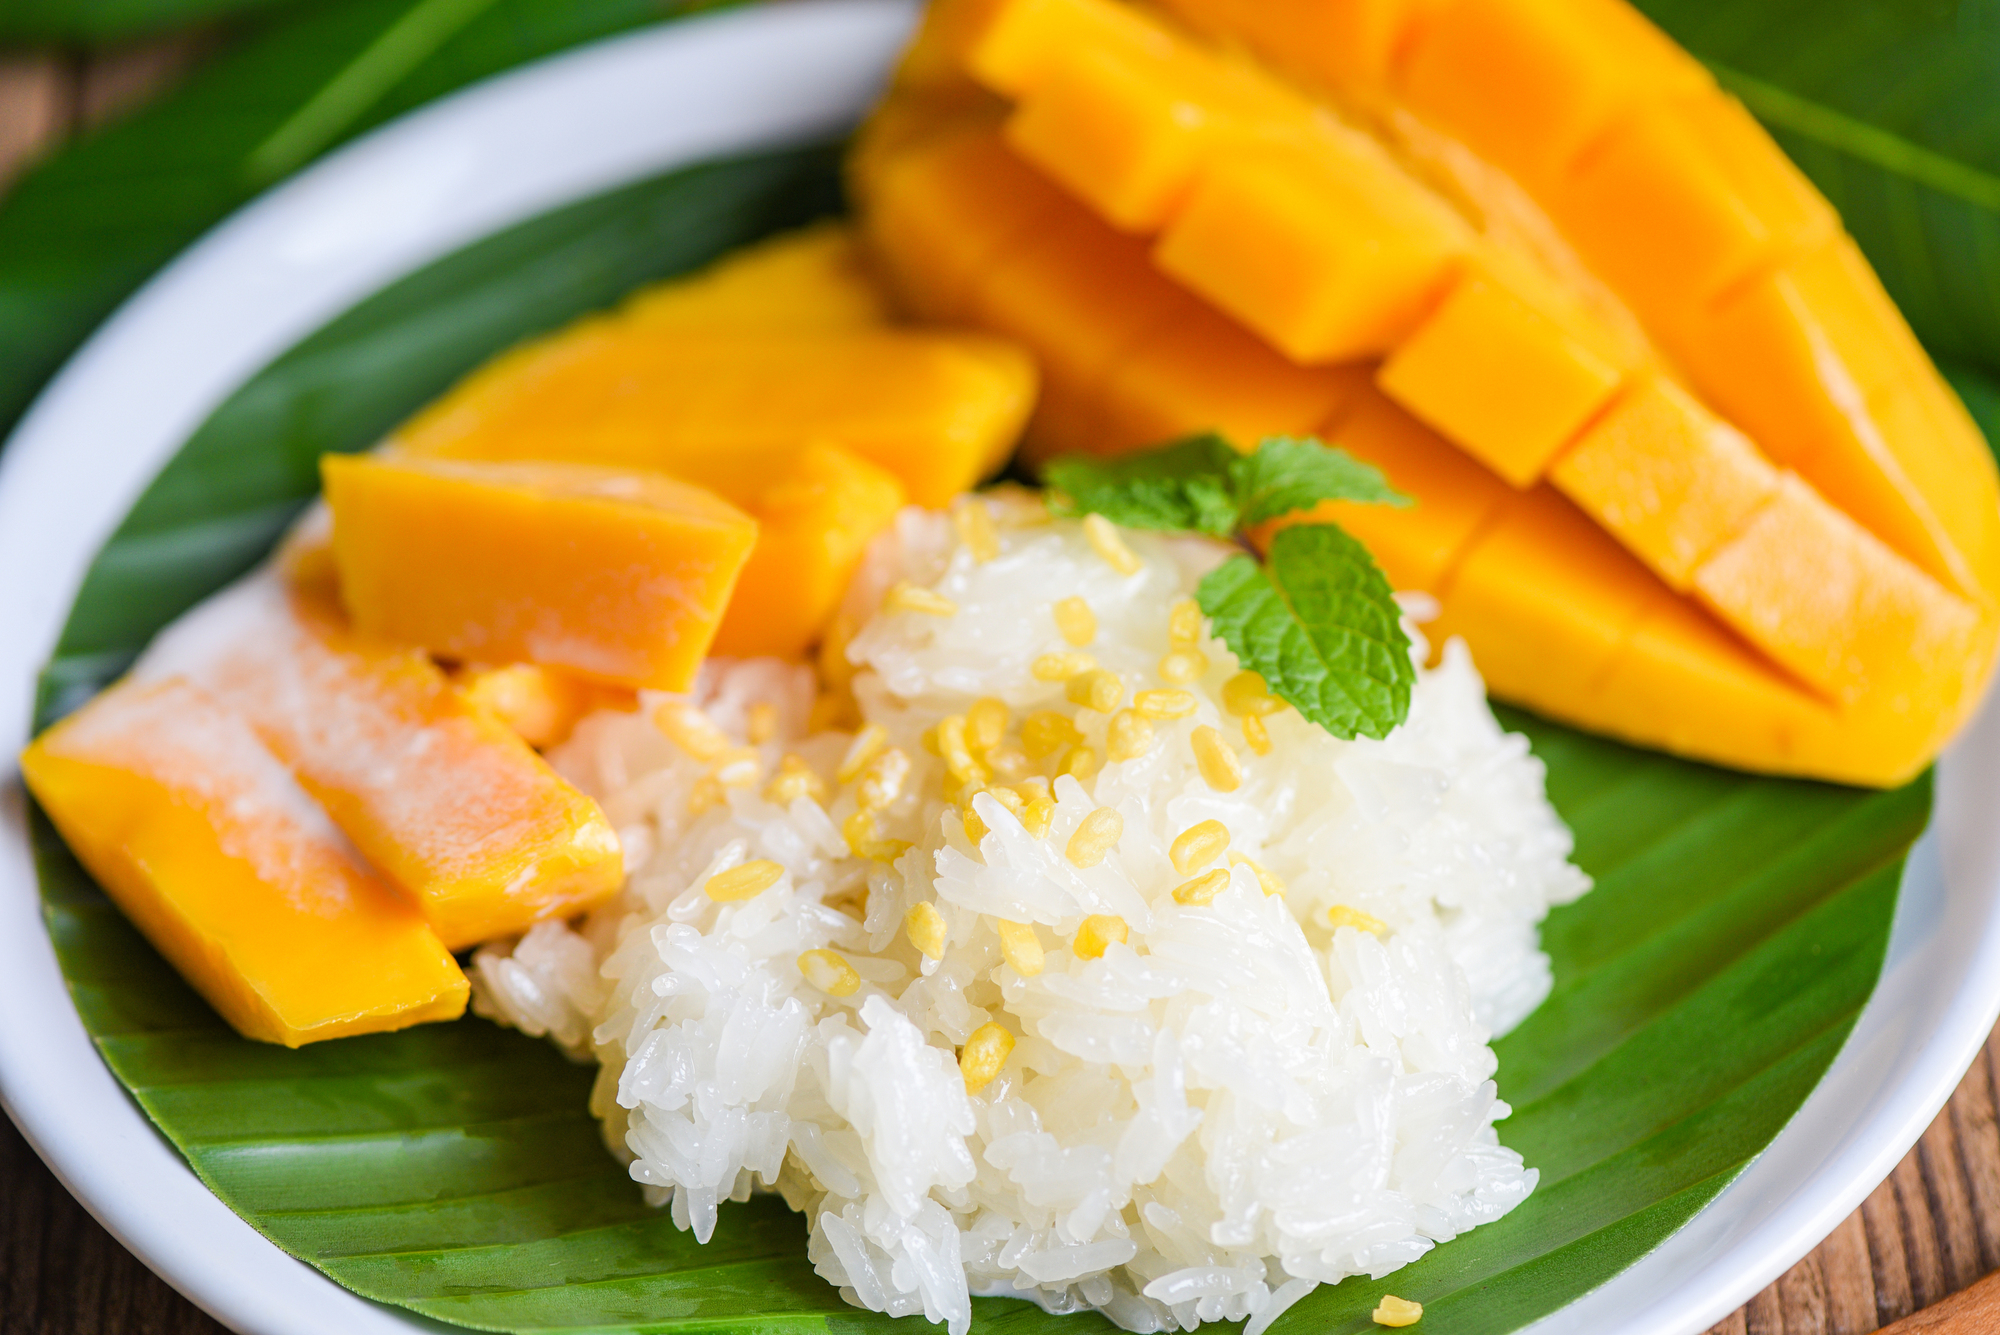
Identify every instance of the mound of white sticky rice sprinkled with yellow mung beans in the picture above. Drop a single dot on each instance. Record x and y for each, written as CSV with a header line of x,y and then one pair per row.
x,y
939,980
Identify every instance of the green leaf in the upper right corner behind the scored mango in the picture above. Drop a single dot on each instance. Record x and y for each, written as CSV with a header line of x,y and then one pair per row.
x,y
1891,107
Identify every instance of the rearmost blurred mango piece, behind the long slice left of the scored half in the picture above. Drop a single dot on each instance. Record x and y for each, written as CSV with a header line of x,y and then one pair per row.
x,y
815,279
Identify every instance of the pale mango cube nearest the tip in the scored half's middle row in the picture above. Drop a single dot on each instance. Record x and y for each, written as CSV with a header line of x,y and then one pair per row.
x,y
1839,609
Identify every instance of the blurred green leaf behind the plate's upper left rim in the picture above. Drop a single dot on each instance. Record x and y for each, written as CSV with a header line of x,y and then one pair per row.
x,y
93,223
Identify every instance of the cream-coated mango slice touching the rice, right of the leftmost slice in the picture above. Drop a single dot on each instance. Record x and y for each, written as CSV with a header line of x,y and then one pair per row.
x,y
435,792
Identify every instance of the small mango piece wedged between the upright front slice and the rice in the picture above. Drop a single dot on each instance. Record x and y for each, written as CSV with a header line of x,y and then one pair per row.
x,y
815,525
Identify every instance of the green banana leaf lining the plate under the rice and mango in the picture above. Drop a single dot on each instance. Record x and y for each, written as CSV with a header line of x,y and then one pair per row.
x,y
1703,988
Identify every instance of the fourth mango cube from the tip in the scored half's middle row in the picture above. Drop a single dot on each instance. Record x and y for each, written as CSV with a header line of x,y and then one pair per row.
x,y
1331,259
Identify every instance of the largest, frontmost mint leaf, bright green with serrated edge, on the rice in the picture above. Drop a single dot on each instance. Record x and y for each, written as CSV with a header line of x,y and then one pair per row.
x,y
1321,627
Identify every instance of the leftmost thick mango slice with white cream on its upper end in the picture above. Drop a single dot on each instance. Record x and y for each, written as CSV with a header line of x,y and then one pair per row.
x,y
231,870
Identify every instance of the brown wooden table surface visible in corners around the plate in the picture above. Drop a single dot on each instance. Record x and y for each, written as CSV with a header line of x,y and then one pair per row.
x,y
1927,1232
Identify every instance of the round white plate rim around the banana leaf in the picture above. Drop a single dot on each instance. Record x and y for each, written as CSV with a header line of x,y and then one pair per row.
x,y
561,131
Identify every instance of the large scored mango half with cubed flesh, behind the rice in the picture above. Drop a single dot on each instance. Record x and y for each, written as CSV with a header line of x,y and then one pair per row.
x,y
1683,473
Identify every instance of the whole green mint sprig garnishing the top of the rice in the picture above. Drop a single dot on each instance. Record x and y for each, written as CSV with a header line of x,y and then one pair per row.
x,y
1317,617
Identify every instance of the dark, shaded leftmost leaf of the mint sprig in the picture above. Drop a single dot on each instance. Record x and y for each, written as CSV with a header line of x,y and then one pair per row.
x,y
1179,489
